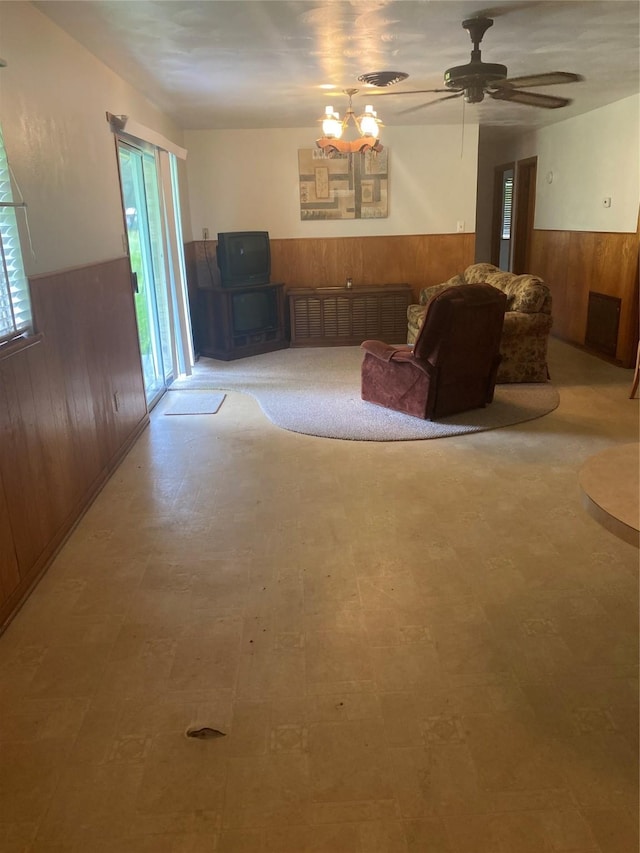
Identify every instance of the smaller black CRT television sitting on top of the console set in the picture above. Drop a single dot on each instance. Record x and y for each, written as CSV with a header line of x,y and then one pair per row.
x,y
244,257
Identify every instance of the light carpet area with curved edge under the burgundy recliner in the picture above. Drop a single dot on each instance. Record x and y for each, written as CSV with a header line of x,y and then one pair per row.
x,y
316,391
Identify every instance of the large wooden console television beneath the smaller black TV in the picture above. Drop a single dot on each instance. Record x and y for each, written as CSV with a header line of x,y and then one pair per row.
x,y
239,321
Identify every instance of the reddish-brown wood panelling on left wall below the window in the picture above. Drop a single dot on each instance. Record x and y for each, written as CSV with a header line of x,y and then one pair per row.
x,y
70,408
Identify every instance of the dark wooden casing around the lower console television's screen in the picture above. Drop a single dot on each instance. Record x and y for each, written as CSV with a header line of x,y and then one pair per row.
x,y
216,335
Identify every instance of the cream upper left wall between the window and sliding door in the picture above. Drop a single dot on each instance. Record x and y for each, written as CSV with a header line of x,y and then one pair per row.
x,y
54,98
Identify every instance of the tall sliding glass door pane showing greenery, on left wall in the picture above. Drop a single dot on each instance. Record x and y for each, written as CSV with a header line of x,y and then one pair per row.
x,y
140,197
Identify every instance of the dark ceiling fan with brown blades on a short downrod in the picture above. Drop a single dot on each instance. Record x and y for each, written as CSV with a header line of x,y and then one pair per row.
x,y
478,79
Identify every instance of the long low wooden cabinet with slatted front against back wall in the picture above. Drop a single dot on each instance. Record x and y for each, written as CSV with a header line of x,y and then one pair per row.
x,y
336,316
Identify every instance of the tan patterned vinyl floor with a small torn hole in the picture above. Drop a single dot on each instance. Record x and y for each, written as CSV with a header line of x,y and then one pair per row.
x,y
412,647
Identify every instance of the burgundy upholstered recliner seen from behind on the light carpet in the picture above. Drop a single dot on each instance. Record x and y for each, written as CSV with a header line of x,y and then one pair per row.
x,y
453,364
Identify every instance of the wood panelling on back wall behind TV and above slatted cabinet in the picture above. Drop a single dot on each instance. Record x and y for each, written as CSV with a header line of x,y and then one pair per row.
x,y
419,259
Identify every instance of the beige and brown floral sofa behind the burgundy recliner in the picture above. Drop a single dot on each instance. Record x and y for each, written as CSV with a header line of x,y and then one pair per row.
x,y
526,324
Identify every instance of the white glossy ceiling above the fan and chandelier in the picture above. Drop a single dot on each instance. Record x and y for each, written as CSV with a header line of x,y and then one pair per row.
x,y
262,63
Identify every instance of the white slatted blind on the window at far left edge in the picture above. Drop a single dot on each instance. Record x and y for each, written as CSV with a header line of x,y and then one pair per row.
x,y
15,303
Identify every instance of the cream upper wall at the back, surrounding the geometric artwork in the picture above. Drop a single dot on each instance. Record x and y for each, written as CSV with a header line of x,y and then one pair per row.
x,y
248,180
